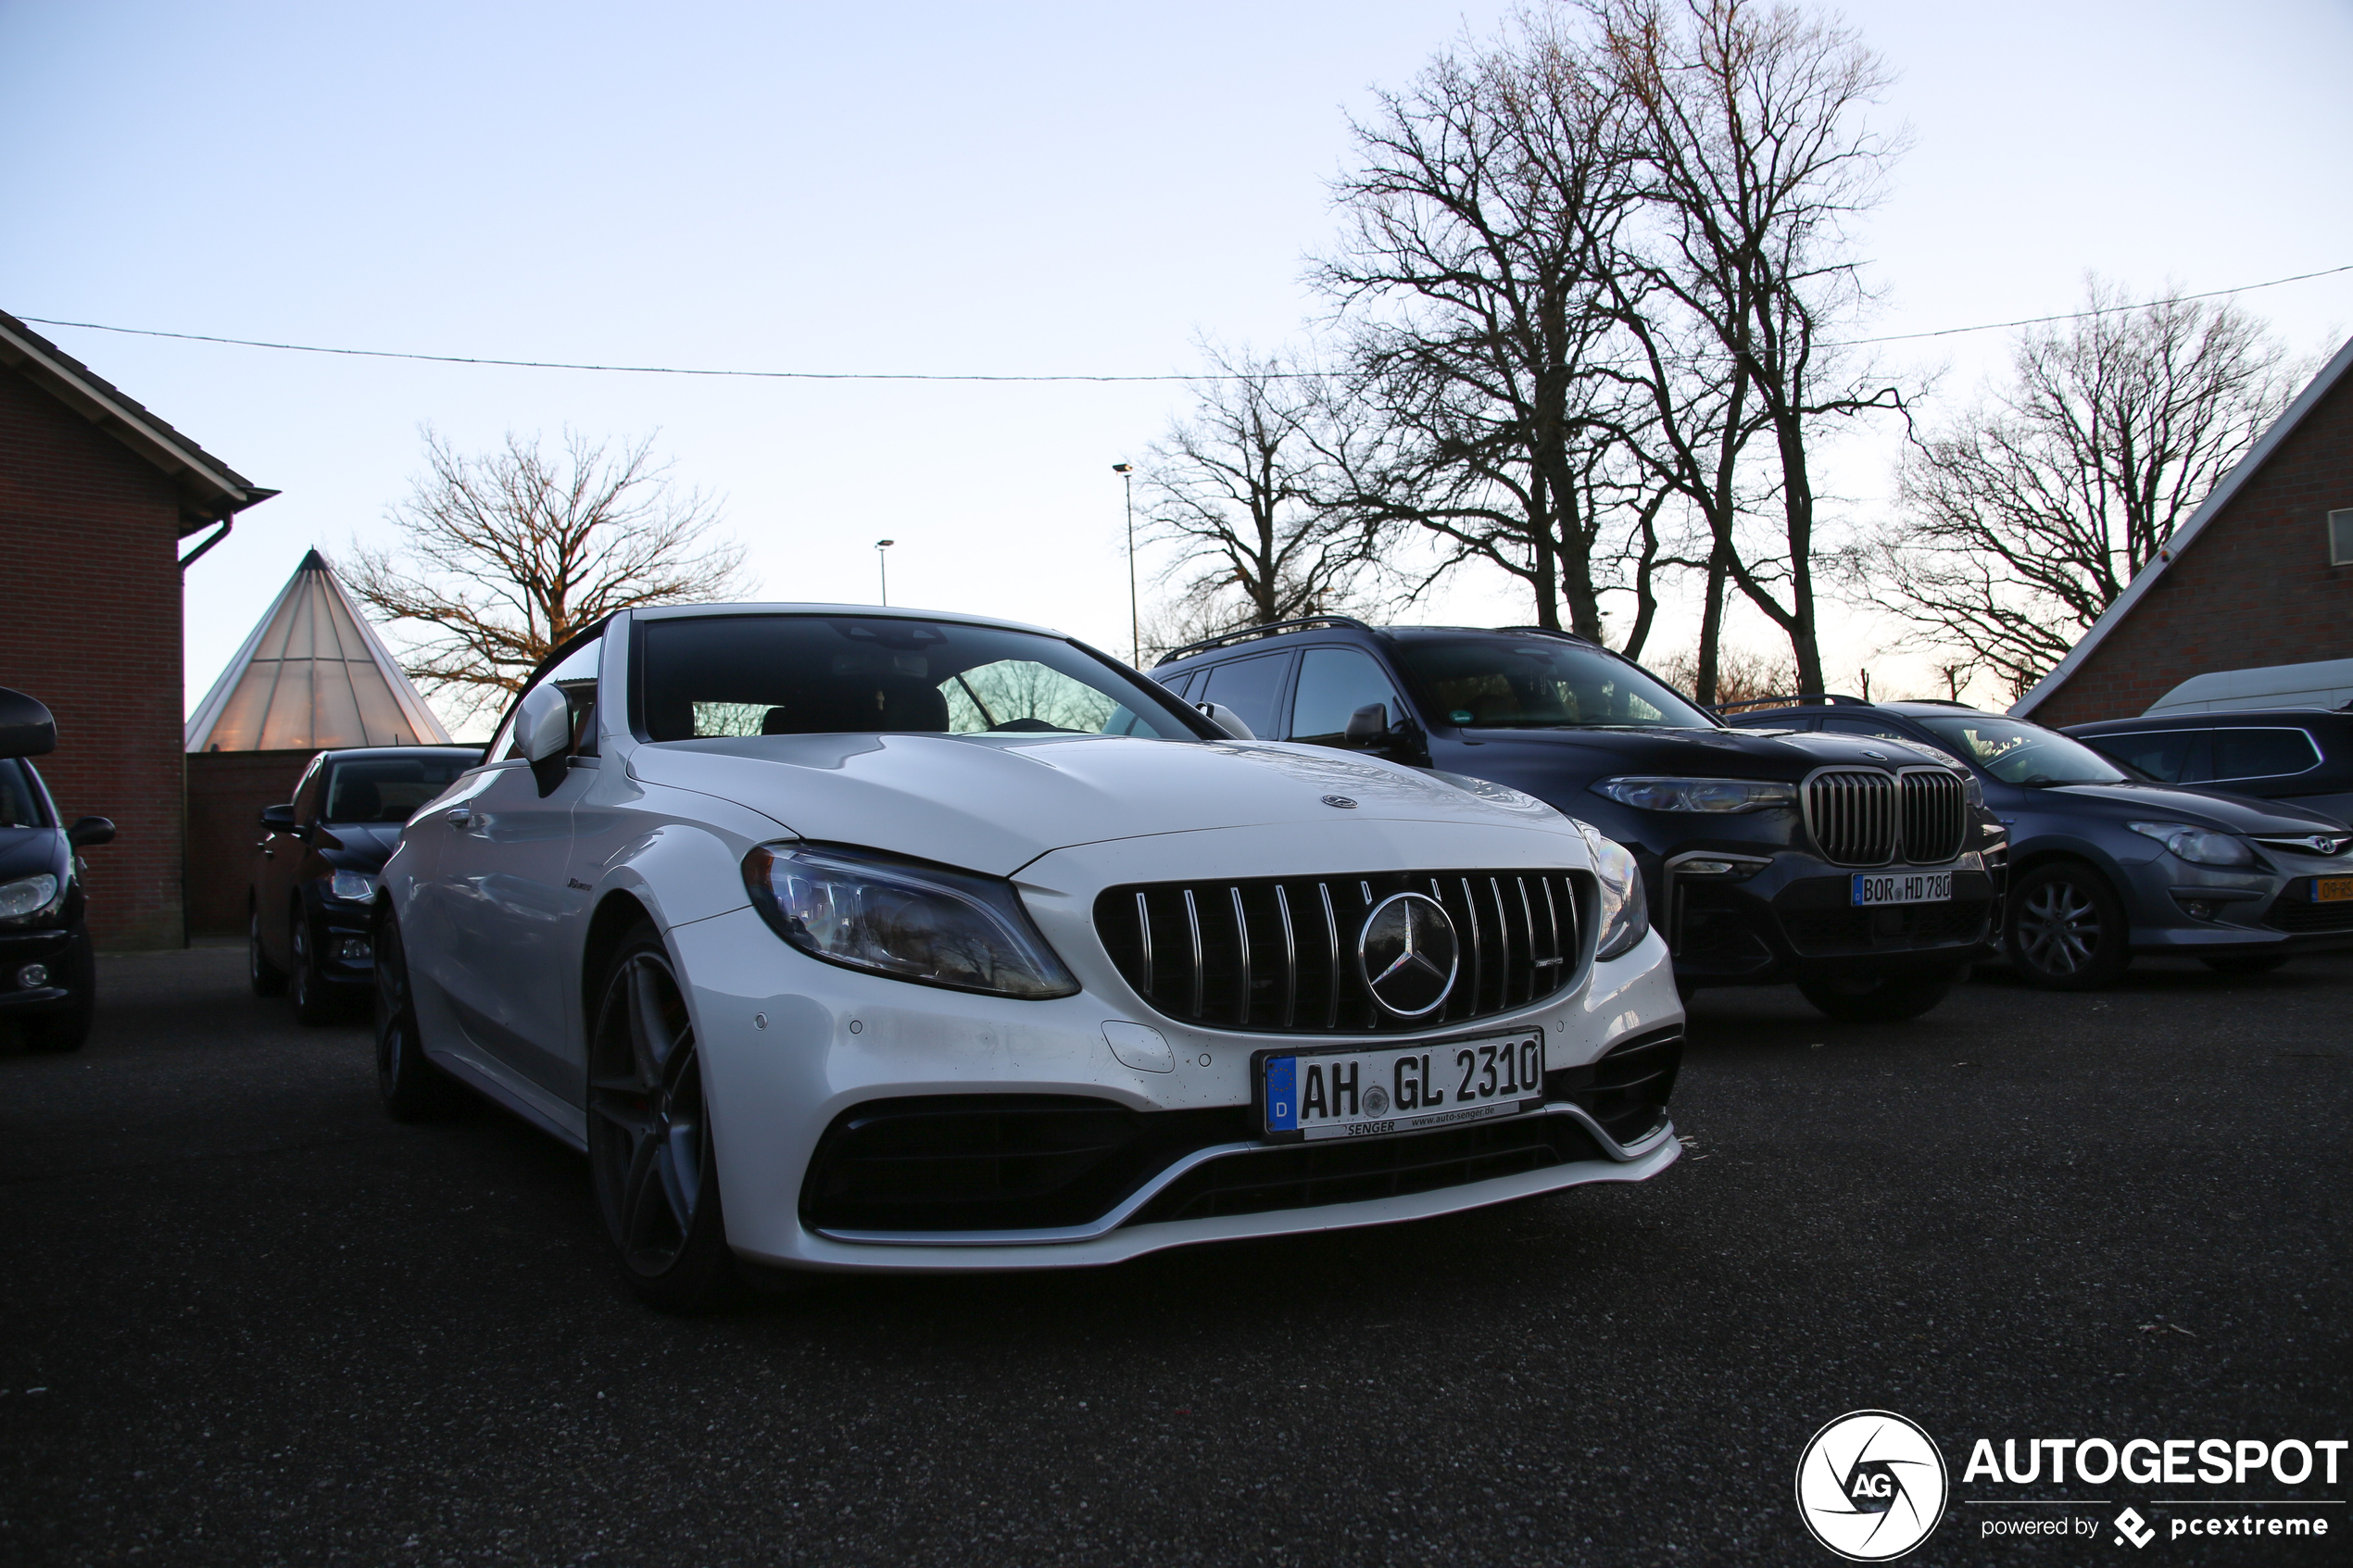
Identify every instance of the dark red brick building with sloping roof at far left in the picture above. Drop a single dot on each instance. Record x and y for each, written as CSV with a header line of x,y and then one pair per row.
x,y
95,502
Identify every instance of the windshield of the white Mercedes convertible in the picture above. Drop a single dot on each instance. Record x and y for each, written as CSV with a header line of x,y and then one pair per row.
x,y
818,676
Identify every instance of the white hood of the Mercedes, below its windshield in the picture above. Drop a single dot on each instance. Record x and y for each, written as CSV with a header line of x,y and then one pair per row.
x,y
999,803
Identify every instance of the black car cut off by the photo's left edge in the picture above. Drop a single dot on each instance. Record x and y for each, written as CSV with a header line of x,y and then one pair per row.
x,y
48,977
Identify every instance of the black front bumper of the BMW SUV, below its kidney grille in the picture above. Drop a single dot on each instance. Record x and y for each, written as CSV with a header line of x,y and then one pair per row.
x,y
1794,918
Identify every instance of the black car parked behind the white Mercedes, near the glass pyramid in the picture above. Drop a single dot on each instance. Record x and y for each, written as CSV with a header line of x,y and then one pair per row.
x,y
316,871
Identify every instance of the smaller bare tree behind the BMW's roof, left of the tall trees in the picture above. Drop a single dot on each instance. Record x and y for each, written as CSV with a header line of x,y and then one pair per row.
x,y
1239,490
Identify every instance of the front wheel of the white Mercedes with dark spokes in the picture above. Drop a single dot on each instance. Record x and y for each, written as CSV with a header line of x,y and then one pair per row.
x,y
651,1137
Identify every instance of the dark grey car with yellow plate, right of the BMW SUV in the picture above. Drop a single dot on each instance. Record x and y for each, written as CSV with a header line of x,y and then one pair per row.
x,y
2107,864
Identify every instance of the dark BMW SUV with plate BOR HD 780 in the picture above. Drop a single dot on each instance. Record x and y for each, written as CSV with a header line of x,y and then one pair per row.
x,y
1867,873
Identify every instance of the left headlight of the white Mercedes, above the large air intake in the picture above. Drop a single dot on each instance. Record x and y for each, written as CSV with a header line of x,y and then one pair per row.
x,y
905,920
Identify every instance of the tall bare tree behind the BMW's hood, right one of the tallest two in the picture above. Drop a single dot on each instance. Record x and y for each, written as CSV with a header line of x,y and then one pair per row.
x,y
1752,159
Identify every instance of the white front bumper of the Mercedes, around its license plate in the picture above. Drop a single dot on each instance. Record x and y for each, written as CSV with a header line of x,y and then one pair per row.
x,y
792,1045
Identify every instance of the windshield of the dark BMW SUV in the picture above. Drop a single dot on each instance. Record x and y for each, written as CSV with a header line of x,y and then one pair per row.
x,y
1519,683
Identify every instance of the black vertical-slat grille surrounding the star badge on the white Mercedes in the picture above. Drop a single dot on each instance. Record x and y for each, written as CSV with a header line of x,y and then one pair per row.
x,y
1281,953
